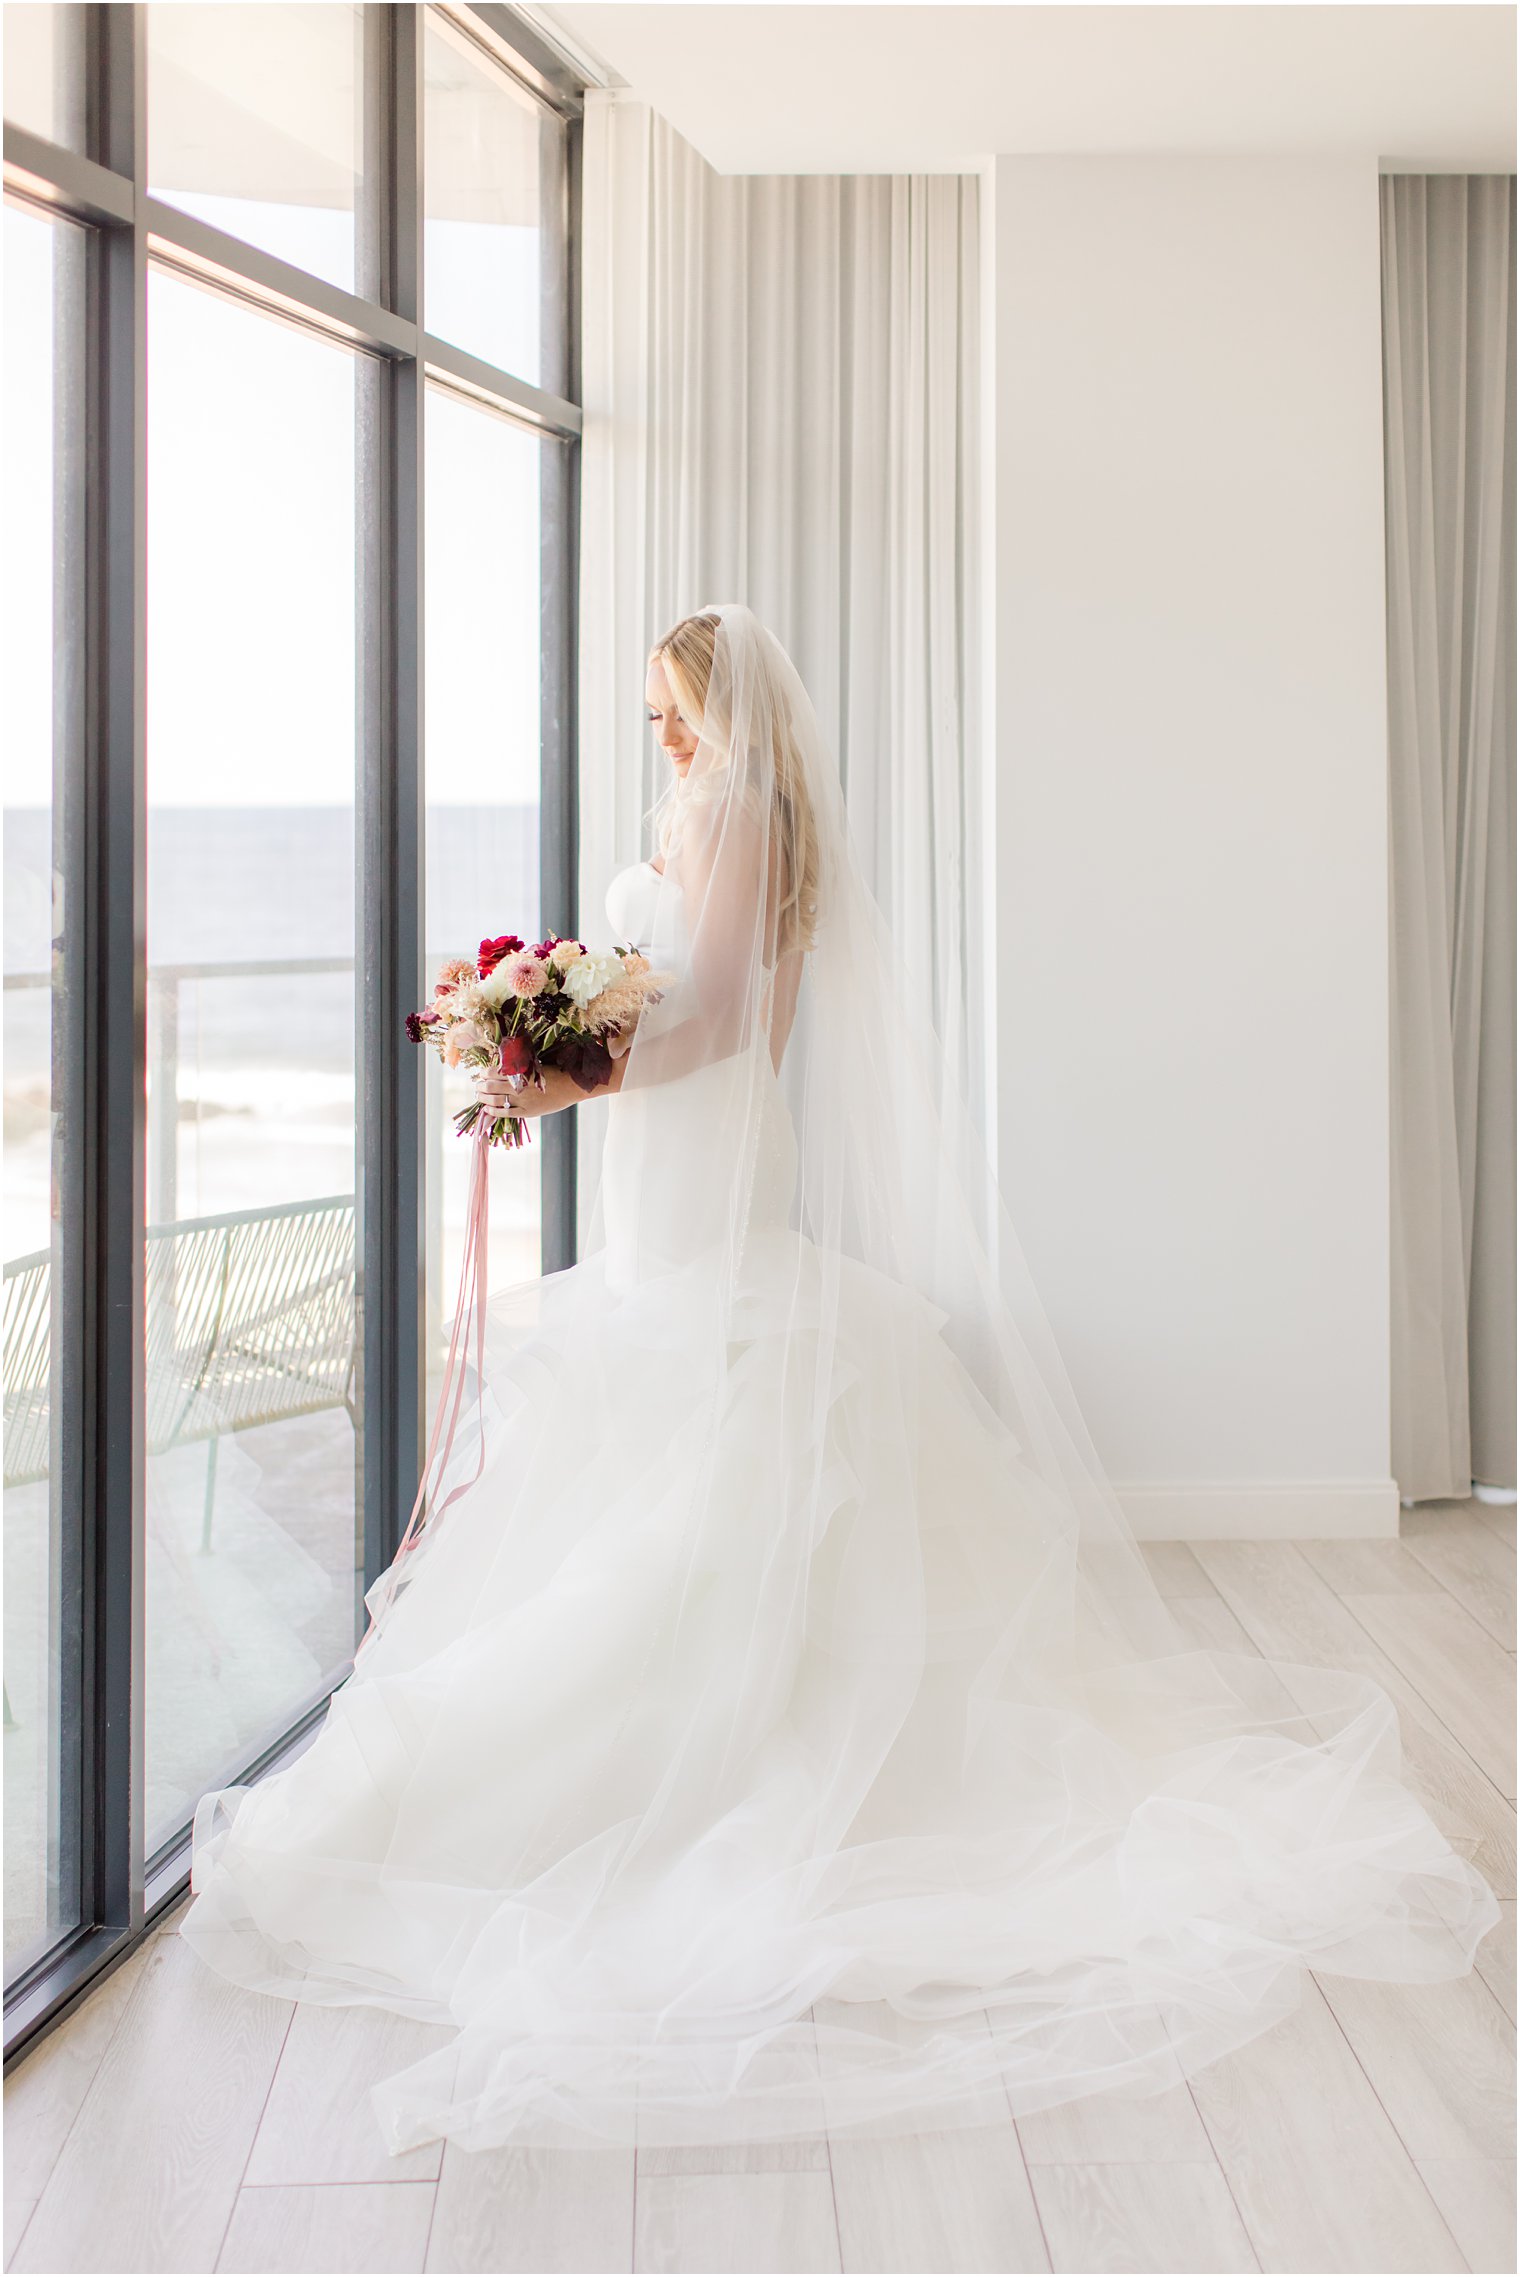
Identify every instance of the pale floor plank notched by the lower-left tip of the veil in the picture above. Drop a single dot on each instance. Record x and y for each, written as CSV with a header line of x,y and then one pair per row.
x,y
320,2123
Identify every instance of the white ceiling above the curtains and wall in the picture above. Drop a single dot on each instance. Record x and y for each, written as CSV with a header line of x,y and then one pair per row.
x,y
791,88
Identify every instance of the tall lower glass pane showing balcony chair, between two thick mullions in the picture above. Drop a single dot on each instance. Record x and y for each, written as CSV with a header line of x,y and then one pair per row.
x,y
254,1442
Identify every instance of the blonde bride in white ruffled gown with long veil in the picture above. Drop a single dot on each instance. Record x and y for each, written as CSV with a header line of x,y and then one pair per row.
x,y
779,1729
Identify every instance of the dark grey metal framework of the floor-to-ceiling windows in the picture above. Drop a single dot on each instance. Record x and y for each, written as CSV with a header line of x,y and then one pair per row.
x,y
122,1891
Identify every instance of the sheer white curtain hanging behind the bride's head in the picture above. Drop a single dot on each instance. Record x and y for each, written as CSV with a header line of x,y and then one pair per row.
x,y
782,409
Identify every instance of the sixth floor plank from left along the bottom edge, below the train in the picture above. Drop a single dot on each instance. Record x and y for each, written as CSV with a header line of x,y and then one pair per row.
x,y
955,2201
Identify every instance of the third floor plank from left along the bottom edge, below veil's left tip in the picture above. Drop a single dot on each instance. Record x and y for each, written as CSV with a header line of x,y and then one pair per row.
x,y
534,2210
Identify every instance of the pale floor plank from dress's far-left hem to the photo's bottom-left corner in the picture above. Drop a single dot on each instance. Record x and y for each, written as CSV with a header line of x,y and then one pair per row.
x,y
154,2162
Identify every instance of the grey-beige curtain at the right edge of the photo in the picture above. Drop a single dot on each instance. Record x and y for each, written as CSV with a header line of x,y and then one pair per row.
x,y
1451,475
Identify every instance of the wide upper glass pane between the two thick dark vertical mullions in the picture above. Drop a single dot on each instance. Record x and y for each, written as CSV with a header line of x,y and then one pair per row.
x,y
254,124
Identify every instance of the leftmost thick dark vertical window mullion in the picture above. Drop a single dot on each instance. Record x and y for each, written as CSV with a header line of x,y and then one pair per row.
x,y
115,1140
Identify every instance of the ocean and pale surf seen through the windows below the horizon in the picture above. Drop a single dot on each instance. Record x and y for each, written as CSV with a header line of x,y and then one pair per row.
x,y
265,1064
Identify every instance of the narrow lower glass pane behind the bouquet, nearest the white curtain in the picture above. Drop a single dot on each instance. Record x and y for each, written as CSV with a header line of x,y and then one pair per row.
x,y
484,798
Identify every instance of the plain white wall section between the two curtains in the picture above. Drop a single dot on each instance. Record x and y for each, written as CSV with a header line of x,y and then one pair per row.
x,y
1187,680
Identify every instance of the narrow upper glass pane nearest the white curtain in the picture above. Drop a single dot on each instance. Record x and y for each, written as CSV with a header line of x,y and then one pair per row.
x,y
495,167
